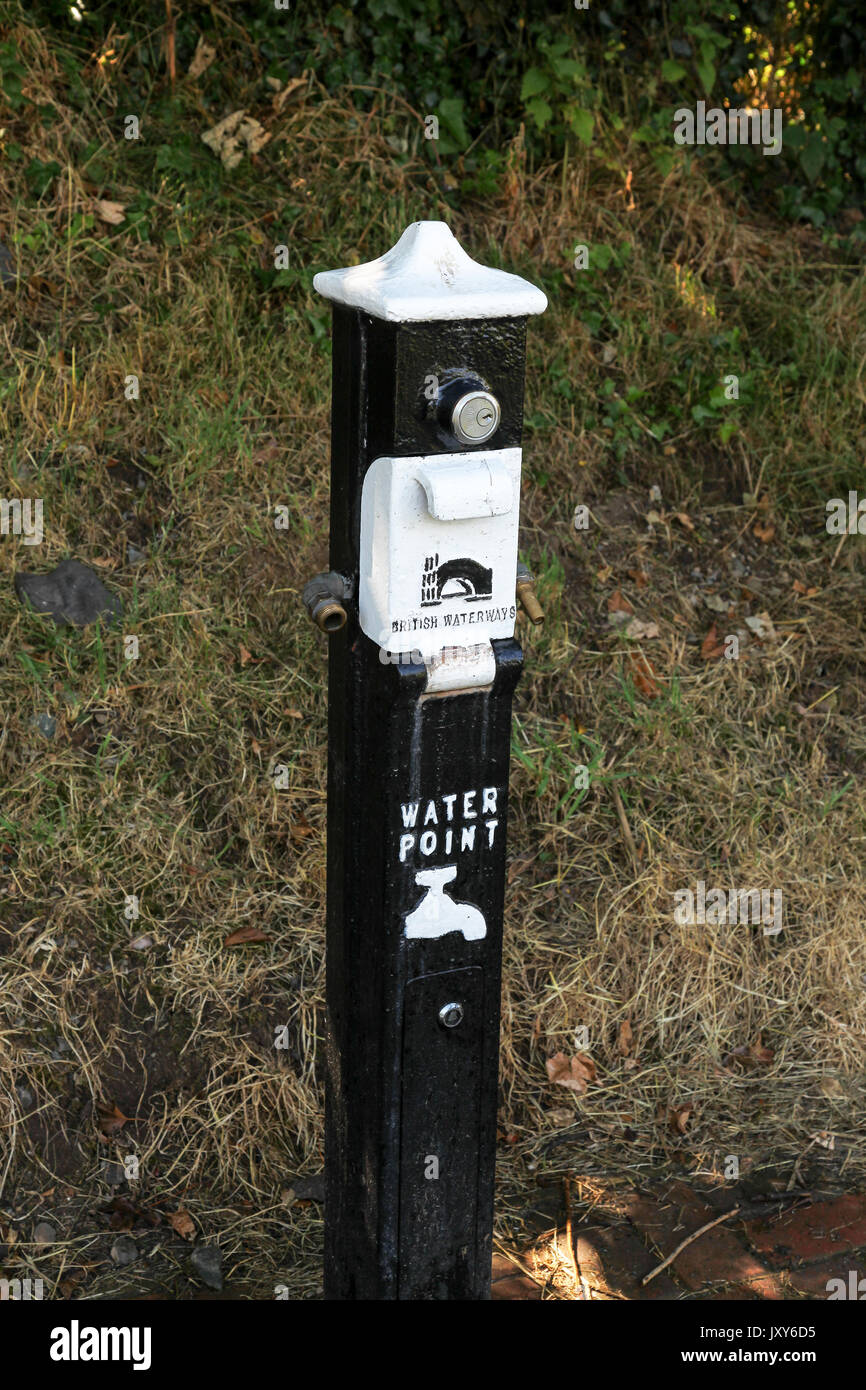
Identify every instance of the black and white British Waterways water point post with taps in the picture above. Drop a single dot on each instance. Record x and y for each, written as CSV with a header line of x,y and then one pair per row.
x,y
427,418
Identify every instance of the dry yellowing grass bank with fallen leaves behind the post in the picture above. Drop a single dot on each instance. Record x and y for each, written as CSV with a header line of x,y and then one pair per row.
x,y
159,780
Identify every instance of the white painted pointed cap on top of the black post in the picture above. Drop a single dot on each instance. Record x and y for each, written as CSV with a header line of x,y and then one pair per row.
x,y
429,276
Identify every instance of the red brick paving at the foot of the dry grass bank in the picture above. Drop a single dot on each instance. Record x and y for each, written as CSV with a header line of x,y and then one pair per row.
x,y
787,1248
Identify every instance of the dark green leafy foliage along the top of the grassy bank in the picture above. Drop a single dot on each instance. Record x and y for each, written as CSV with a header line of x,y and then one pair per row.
x,y
564,76
